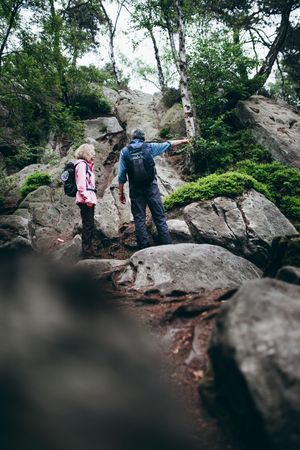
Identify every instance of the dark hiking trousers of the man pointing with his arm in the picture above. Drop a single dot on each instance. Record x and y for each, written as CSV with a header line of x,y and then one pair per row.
x,y
140,198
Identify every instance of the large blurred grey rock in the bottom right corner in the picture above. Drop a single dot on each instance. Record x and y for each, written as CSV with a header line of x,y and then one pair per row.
x,y
255,354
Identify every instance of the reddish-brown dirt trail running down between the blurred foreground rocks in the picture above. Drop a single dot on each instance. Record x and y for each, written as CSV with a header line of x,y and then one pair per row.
x,y
183,343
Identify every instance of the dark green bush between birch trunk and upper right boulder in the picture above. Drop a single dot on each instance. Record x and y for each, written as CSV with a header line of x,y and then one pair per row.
x,y
220,146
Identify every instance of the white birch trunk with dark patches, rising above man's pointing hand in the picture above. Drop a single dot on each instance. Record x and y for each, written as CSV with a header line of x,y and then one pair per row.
x,y
185,94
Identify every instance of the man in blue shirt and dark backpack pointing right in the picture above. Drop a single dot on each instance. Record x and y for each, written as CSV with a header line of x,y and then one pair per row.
x,y
136,162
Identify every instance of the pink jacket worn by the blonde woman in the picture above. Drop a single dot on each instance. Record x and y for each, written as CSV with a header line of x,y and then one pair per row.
x,y
85,181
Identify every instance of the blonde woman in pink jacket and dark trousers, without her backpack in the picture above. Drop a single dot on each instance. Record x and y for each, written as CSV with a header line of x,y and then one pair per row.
x,y
86,194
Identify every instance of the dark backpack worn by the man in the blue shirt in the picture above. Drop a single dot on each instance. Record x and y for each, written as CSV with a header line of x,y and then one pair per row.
x,y
140,165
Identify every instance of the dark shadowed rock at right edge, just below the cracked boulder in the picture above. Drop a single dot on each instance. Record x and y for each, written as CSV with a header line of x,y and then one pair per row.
x,y
285,251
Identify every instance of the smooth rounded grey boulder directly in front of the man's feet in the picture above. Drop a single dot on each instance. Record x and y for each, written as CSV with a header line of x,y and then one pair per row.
x,y
185,268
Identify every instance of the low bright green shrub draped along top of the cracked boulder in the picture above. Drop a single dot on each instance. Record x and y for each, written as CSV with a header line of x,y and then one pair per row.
x,y
230,184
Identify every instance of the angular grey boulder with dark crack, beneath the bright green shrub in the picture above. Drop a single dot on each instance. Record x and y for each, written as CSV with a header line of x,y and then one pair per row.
x,y
245,225
